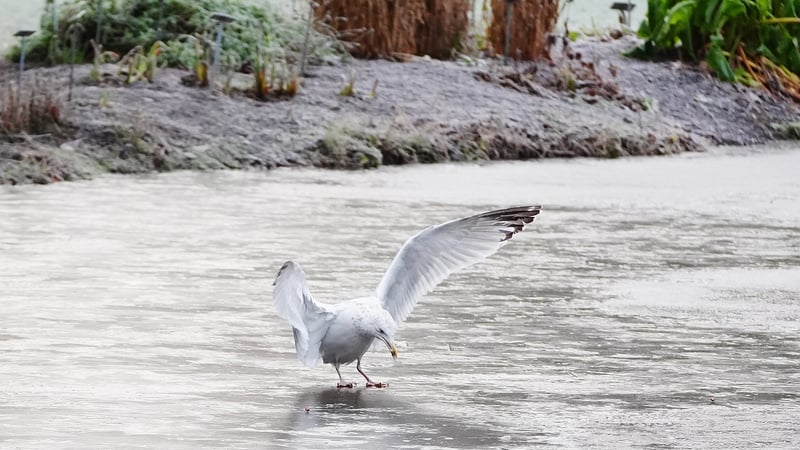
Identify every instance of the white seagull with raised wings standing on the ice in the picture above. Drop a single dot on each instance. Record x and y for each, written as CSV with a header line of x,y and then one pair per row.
x,y
341,333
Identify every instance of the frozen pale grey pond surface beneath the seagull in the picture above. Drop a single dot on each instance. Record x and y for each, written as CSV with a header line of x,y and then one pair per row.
x,y
654,302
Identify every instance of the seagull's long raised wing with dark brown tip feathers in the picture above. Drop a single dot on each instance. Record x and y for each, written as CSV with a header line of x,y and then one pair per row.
x,y
429,257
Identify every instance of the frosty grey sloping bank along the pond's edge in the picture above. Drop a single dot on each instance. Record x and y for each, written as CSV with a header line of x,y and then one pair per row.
x,y
421,111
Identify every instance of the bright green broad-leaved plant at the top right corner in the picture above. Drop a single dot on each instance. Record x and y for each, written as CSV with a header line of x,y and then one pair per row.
x,y
726,33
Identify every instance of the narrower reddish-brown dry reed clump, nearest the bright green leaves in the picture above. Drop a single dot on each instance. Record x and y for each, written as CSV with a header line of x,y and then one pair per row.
x,y
532,22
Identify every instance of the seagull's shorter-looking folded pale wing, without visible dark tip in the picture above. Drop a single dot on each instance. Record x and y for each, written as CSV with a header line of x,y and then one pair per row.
x,y
309,319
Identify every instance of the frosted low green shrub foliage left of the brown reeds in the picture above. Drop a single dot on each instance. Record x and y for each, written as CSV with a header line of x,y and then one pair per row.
x,y
126,24
